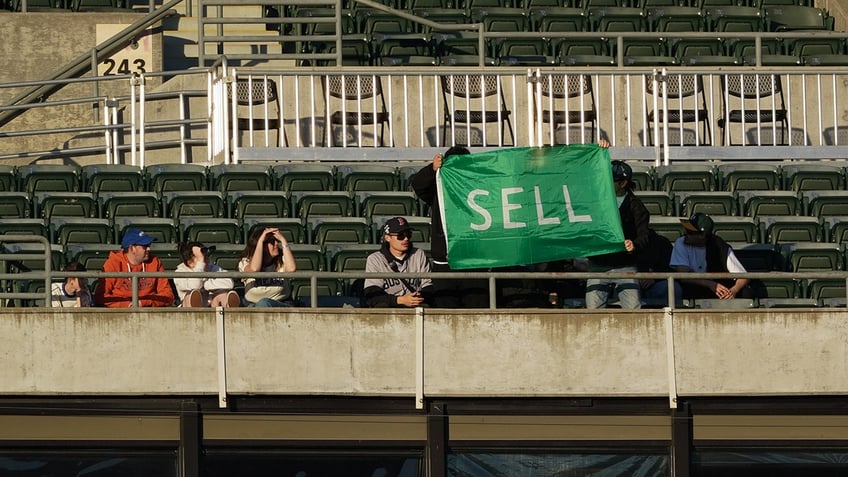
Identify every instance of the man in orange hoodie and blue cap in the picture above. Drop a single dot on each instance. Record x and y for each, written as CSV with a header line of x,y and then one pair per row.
x,y
134,256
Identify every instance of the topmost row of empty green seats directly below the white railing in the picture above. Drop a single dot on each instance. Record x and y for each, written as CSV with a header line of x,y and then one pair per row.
x,y
733,176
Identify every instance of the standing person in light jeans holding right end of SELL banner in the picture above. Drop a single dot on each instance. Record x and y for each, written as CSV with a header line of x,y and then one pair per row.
x,y
634,223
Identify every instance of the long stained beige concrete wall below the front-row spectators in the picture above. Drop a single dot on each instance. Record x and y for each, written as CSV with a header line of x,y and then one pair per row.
x,y
373,352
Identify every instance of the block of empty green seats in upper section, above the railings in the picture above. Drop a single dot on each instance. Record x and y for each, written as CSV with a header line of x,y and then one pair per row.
x,y
374,37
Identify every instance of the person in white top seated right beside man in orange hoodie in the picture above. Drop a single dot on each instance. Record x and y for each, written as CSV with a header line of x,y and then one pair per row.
x,y
203,291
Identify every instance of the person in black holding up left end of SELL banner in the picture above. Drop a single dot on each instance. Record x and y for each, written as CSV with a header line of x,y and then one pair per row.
x,y
447,293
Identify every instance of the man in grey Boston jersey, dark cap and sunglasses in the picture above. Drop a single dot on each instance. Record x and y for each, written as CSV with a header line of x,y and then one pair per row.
x,y
397,254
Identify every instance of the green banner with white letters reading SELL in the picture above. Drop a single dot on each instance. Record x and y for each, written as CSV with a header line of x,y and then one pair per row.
x,y
529,205
